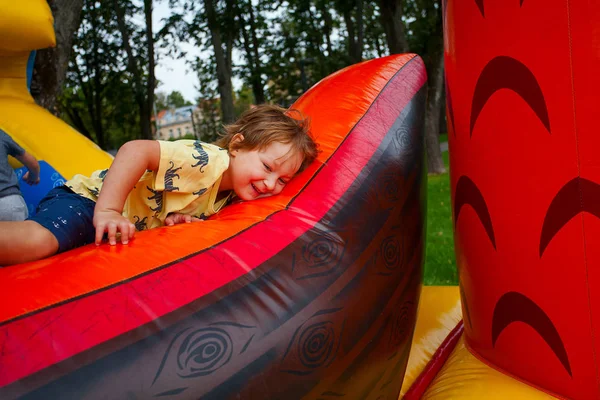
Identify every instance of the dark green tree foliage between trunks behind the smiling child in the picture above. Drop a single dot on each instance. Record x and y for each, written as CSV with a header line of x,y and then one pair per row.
x,y
279,49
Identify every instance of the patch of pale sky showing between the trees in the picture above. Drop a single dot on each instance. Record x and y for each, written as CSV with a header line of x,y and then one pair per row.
x,y
174,74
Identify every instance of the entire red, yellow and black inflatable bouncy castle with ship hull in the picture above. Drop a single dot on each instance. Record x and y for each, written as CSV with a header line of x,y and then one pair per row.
x,y
316,293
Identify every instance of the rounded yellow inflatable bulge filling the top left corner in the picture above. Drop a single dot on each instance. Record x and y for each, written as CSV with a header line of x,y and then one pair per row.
x,y
25,26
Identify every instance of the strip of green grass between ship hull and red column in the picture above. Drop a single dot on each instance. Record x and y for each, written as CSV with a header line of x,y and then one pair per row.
x,y
440,264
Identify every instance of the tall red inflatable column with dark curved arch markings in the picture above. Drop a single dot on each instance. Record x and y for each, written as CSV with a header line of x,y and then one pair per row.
x,y
522,88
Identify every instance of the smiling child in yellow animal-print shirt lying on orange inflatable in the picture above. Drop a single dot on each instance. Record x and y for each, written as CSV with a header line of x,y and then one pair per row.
x,y
153,183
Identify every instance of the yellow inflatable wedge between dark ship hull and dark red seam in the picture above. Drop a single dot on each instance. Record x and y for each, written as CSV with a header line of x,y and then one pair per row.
x,y
439,312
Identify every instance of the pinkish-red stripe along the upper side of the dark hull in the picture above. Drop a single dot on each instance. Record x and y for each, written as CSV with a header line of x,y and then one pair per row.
x,y
30,344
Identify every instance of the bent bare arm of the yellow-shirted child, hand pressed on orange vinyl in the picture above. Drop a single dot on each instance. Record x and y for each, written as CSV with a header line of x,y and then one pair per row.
x,y
132,160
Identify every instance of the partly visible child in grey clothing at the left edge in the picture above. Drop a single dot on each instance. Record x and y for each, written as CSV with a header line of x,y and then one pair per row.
x,y
12,204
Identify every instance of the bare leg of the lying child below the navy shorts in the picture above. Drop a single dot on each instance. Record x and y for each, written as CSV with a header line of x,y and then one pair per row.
x,y
25,241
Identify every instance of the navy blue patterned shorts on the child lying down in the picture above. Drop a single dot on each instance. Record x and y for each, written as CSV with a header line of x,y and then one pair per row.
x,y
68,216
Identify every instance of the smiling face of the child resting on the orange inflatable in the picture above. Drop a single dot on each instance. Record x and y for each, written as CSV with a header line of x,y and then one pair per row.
x,y
261,173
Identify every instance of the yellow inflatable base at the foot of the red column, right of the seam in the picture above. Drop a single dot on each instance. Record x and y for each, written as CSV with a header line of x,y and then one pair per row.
x,y
465,377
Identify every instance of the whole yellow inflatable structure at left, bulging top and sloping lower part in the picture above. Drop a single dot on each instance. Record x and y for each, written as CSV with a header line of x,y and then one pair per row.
x,y
26,26
